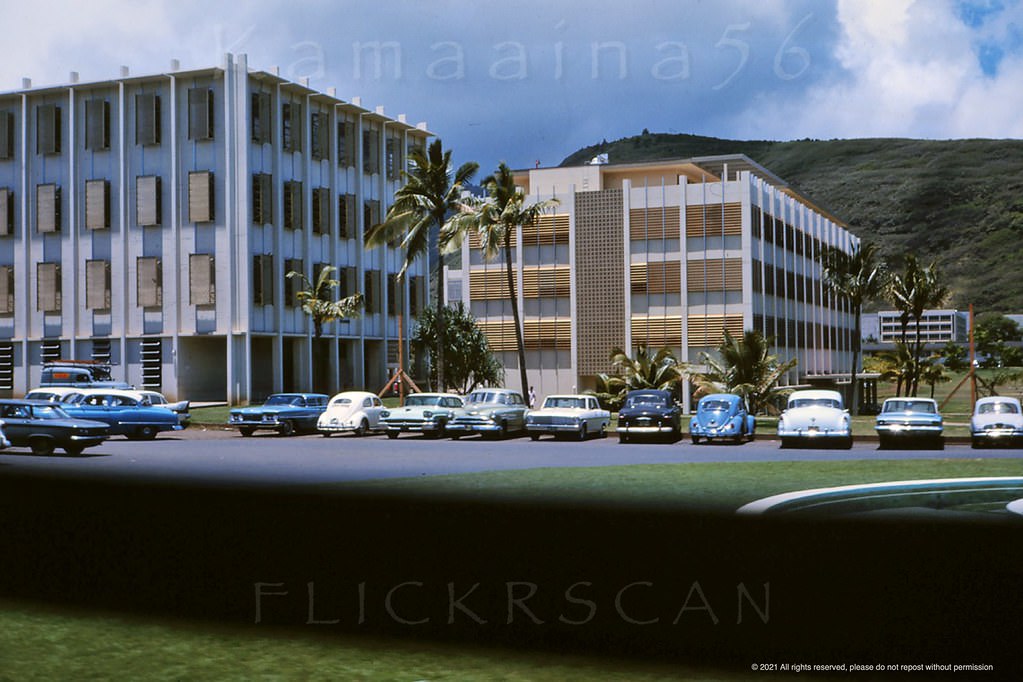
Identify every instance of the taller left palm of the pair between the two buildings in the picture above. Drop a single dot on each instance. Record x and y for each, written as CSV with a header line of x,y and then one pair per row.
x,y
430,195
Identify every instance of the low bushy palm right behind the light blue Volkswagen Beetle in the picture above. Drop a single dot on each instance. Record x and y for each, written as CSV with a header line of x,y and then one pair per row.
x,y
746,368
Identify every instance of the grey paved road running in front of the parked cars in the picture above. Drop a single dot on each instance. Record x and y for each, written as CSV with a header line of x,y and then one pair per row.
x,y
219,457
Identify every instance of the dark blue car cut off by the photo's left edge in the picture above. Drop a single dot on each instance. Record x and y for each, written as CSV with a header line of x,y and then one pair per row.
x,y
45,426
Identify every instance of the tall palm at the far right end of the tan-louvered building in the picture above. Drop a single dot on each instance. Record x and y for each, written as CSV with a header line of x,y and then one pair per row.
x,y
858,278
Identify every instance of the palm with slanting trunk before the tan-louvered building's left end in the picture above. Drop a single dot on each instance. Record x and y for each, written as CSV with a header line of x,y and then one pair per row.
x,y
497,221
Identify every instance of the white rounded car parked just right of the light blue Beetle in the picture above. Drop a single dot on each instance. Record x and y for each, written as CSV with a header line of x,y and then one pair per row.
x,y
816,416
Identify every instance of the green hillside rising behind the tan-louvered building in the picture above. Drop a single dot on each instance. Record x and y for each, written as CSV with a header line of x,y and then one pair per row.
x,y
959,202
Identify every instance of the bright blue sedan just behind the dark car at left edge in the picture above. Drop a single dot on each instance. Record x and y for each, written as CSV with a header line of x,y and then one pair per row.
x,y
127,413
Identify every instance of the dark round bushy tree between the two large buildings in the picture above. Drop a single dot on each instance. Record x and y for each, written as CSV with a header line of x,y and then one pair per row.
x,y
469,360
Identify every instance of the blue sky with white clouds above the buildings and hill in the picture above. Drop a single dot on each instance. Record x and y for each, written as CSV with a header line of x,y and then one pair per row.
x,y
530,81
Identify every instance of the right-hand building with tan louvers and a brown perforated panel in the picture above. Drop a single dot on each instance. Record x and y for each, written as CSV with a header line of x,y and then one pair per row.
x,y
661,254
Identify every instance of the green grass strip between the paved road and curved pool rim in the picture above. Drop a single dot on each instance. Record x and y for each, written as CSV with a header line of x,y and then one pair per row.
x,y
716,486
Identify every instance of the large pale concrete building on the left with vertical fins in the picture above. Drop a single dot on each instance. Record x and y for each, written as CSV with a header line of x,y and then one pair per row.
x,y
151,221
